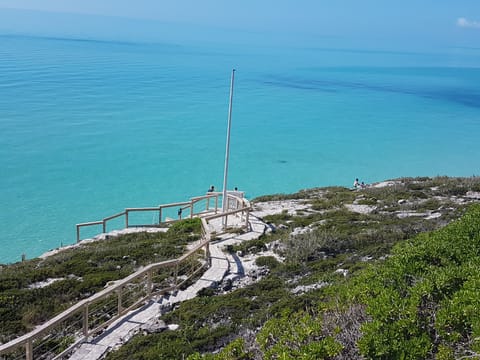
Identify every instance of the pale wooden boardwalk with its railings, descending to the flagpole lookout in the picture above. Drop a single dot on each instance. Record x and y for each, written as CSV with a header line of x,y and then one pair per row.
x,y
112,315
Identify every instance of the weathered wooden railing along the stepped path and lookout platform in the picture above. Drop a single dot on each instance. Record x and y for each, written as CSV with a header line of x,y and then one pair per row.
x,y
58,337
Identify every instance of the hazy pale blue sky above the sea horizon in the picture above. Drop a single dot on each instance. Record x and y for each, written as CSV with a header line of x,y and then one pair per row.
x,y
416,22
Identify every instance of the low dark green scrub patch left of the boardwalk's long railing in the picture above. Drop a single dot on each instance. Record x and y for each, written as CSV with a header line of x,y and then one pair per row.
x,y
33,291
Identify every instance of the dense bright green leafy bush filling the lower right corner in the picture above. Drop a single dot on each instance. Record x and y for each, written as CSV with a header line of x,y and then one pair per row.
x,y
423,301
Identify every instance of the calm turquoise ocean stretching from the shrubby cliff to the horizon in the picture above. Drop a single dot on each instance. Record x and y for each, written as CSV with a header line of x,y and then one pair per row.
x,y
88,128
